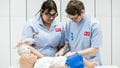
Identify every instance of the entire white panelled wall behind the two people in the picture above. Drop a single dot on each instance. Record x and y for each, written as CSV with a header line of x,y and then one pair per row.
x,y
14,13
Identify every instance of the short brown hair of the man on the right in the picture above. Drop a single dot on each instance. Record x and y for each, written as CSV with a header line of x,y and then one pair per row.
x,y
75,7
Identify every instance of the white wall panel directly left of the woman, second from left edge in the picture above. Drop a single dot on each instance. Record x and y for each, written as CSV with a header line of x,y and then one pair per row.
x,y
17,21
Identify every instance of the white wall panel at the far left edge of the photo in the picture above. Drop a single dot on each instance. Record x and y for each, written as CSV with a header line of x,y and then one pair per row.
x,y
4,34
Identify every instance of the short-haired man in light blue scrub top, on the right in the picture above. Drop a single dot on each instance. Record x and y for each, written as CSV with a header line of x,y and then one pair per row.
x,y
83,33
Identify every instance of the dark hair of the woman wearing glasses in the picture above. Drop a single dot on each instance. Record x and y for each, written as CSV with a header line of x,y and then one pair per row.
x,y
48,5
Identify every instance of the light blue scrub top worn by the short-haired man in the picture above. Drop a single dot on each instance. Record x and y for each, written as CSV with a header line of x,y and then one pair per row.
x,y
86,34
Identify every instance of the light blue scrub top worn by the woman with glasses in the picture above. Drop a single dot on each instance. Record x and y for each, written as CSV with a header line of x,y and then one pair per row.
x,y
46,40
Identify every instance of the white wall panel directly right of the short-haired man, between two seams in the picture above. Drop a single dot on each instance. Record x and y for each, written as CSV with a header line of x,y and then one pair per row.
x,y
103,14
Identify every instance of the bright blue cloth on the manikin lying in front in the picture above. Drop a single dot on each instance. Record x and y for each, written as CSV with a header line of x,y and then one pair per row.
x,y
75,61
